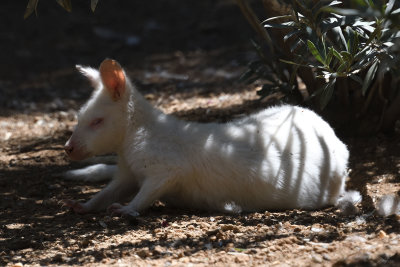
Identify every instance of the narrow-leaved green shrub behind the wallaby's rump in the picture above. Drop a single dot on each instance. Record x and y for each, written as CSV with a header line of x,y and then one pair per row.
x,y
347,55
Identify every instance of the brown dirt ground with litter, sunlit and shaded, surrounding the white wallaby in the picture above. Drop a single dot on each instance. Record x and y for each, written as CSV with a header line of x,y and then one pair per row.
x,y
185,57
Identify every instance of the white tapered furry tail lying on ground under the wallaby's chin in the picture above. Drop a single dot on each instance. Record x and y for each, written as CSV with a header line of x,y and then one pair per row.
x,y
93,173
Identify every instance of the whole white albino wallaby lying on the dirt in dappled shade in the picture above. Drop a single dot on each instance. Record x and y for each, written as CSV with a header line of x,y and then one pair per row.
x,y
280,158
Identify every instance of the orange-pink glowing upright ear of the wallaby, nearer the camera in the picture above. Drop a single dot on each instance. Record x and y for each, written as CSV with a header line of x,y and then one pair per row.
x,y
113,78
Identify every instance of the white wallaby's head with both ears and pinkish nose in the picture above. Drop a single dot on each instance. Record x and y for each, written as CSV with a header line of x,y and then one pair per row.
x,y
102,120
